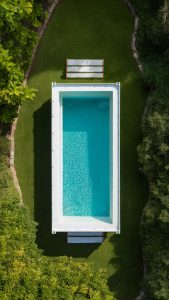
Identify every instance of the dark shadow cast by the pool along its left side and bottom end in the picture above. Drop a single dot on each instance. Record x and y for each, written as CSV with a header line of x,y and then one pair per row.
x,y
52,245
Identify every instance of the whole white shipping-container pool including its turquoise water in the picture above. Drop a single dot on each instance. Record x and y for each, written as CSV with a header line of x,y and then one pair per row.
x,y
85,157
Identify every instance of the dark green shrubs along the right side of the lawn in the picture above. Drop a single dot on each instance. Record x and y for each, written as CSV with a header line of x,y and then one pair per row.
x,y
153,45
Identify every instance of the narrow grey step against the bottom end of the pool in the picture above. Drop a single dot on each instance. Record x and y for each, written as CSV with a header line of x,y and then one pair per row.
x,y
85,237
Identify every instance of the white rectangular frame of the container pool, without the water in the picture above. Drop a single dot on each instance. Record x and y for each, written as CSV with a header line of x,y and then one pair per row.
x,y
62,223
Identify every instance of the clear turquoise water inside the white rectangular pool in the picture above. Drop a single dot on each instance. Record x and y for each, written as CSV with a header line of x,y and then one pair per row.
x,y
86,156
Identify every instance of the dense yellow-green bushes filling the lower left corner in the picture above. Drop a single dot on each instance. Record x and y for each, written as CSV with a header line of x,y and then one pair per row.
x,y
24,272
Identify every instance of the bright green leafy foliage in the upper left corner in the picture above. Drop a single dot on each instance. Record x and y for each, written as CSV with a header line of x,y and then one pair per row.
x,y
19,24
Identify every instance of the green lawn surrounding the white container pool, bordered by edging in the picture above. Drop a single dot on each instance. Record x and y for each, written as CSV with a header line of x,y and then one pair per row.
x,y
86,29
